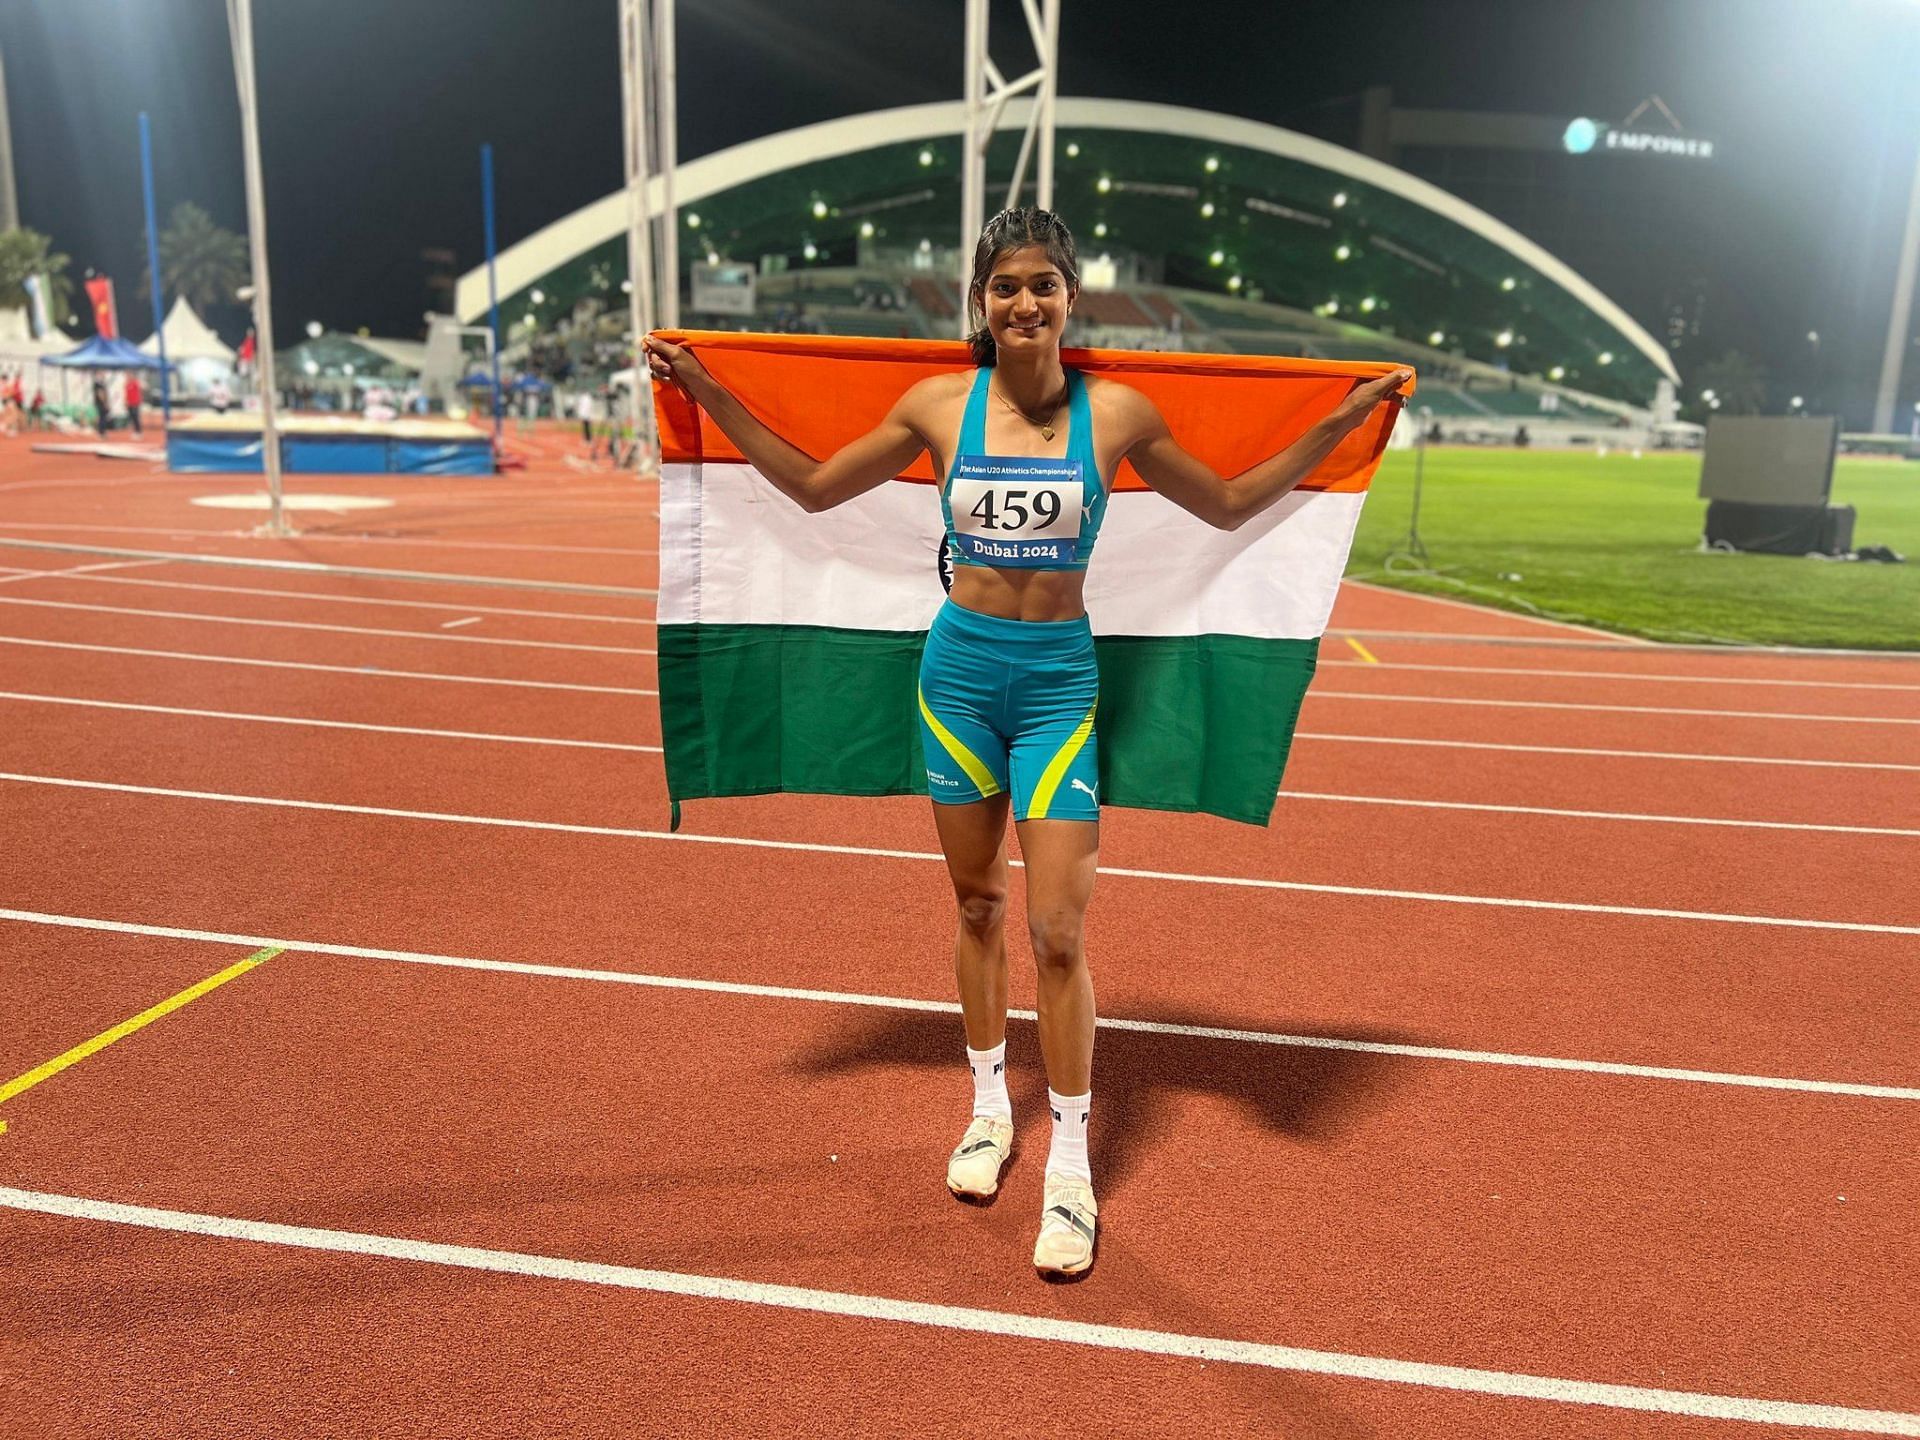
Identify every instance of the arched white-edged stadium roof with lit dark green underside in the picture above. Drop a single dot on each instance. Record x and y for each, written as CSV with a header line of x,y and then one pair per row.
x,y
1303,224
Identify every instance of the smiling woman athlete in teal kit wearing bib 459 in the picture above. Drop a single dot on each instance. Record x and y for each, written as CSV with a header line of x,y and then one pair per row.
x,y
1026,452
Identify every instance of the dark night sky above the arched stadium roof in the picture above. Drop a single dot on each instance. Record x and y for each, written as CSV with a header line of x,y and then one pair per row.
x,y
373,114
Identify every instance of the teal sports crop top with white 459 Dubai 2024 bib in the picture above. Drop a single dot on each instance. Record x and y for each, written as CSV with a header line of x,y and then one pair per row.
x,y
1024,512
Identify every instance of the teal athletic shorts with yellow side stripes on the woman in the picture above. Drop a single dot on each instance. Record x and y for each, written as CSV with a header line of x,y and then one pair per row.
x,y
1007,709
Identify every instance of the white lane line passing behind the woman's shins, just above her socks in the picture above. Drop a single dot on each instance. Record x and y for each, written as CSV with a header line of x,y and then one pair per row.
x,y
951,1009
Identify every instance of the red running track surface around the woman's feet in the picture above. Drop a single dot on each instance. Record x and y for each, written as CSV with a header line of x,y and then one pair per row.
x,y
1485,1214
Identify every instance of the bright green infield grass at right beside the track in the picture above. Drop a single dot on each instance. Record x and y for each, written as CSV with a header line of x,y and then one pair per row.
x,y
1614,542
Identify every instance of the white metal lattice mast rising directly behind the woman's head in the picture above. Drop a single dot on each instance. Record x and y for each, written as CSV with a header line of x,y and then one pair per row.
x,y
984,118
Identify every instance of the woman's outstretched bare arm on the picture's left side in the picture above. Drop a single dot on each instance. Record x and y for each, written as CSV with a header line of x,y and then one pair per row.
x,y
853,469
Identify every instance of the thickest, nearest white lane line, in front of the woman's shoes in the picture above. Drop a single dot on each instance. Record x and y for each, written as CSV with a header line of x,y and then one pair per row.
x,y
978,1322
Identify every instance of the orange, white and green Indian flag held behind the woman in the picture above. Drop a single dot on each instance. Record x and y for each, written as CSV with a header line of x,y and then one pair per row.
x,y
790,642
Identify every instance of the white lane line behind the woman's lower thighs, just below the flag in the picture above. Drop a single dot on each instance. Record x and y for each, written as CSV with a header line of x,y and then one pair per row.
x,y
811,848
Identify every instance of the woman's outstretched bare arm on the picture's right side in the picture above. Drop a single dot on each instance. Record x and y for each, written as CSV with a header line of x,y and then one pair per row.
x,y
1230,504
